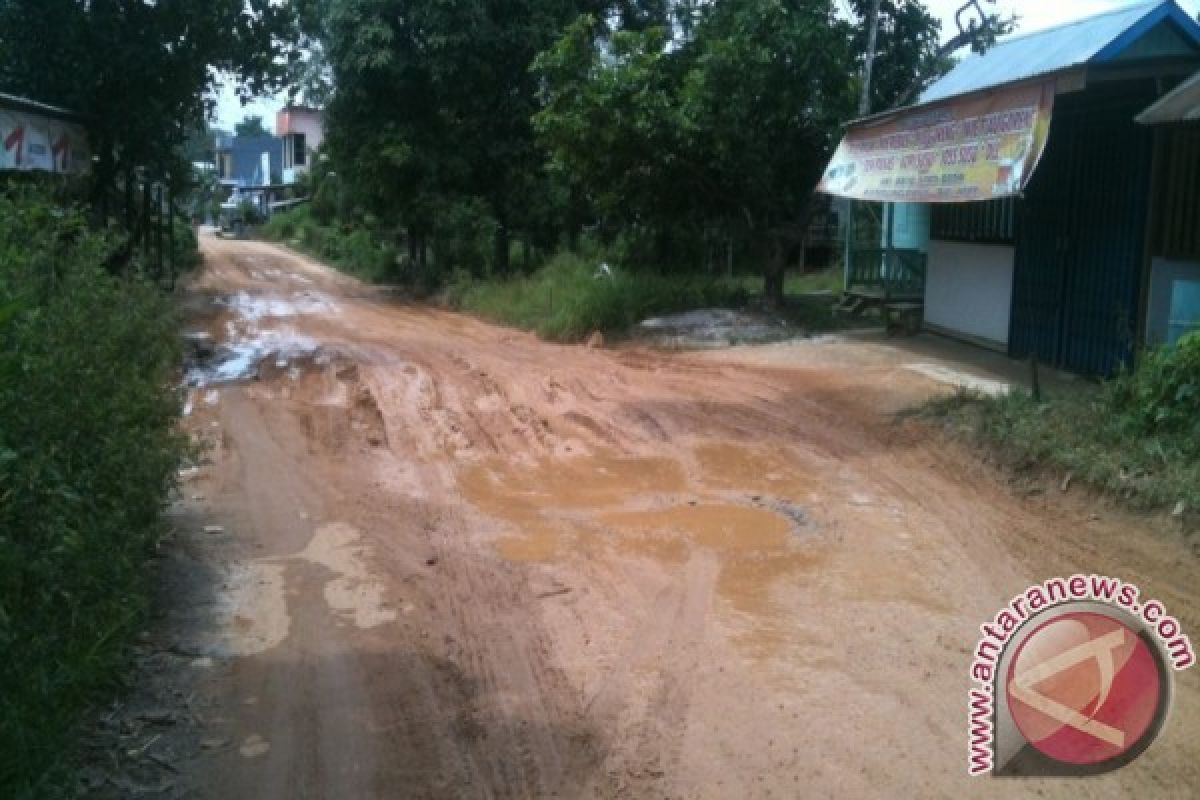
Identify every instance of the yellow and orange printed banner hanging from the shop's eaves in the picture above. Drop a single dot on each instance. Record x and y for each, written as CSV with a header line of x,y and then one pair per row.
x,y
977,148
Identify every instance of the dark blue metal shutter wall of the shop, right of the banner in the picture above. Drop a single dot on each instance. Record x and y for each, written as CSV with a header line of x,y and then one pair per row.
x,y
1082,234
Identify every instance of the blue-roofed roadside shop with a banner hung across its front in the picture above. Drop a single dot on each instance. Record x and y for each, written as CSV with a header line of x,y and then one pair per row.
x,y
1025,206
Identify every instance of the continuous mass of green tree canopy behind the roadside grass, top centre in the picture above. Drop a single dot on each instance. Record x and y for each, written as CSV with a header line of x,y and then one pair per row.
x,y
659,125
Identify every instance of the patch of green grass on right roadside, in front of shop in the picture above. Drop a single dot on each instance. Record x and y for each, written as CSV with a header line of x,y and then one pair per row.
x,y
1082,435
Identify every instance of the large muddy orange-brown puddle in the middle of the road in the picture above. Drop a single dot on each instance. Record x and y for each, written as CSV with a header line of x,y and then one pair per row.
x,y
603,508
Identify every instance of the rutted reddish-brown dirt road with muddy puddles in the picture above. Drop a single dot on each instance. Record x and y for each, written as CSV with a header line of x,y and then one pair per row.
x,y
457,562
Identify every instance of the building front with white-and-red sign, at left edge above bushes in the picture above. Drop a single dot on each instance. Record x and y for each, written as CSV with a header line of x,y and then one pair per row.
x,y
35,137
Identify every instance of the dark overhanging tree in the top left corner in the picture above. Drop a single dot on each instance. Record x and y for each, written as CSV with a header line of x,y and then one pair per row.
x,y
142,74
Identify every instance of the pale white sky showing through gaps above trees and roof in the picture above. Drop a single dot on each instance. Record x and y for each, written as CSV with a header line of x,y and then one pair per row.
x,y
1035,15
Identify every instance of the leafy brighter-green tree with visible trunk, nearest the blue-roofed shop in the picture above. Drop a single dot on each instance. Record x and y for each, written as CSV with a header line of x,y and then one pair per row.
x,y
729,129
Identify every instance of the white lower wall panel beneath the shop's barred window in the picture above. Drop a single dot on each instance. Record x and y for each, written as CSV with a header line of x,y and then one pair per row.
x,y
969,290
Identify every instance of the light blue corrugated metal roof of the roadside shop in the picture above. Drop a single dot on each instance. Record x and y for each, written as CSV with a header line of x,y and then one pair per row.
x,y
1095,40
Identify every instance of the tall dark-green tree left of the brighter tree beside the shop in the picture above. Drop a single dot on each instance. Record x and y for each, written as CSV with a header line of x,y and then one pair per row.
x,y
431,113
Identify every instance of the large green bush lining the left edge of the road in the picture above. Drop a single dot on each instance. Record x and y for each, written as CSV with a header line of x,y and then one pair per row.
x,y
88,455
